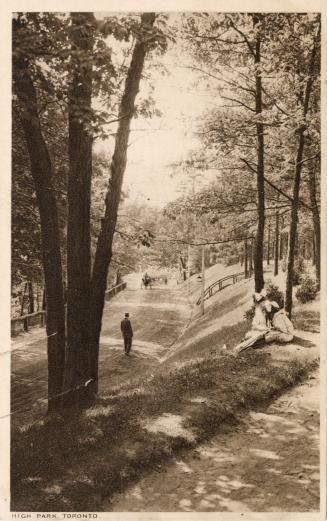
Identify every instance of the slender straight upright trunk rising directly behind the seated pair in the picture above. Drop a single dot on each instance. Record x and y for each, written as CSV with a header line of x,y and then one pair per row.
x,y
259,241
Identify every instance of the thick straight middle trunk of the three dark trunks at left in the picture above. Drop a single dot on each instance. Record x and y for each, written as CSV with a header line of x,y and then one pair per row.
x,y
79,201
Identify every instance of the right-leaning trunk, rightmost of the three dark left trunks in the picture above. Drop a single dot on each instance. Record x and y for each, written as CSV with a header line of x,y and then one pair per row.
x,y
117,168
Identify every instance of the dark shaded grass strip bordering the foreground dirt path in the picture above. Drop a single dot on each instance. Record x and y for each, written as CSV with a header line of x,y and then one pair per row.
x,y
73,462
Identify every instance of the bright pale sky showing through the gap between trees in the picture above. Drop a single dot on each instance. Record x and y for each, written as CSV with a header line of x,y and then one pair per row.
x,y
158,142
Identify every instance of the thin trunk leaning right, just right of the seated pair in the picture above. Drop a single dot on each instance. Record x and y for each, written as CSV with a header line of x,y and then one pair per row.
x,y
297,180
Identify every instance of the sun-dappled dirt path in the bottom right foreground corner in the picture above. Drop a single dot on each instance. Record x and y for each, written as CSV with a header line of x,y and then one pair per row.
x,y
268,462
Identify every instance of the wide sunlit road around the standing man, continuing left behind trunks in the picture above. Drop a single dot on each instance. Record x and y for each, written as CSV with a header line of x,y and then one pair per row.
x,y
158,317
